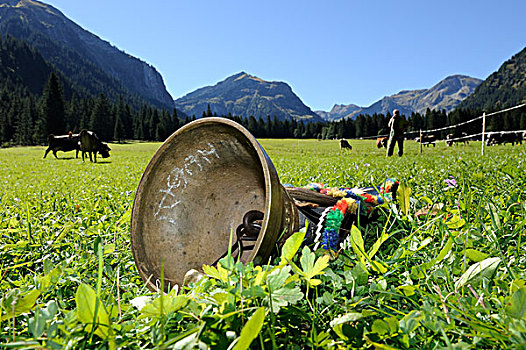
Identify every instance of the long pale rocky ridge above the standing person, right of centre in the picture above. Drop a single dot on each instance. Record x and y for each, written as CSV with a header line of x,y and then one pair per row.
x,y
445,95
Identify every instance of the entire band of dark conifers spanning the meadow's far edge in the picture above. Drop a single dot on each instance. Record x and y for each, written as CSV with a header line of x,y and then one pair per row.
x,y
27,119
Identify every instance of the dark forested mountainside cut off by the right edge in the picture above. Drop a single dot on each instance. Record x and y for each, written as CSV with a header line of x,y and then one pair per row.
x,y
503,88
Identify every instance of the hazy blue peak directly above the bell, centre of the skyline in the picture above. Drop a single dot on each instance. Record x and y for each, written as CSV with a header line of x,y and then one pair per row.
x,y
246,95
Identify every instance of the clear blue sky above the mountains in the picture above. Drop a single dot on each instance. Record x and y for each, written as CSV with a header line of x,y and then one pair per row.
x,y
330,52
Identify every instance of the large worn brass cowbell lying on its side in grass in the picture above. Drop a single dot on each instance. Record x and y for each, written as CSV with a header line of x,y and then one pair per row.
x,y
209,180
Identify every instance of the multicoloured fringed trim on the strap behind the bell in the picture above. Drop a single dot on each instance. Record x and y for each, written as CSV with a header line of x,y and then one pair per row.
x,y
358,201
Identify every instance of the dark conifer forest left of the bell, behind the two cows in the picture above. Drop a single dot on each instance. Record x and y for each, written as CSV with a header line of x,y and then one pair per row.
x,y
26,119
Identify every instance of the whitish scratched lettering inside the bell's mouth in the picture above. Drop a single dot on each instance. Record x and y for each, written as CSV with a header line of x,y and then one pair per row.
x,y
177,180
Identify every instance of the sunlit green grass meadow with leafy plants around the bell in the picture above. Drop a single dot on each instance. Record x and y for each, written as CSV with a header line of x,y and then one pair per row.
x,y
441,268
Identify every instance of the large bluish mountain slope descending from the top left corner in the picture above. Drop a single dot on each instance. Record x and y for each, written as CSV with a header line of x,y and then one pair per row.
x,y
80,55
